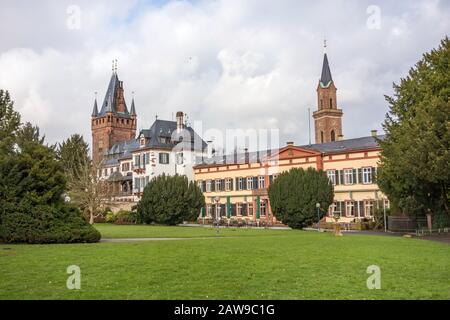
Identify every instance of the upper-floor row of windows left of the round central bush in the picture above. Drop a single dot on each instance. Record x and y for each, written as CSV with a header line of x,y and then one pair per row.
x,y
241,183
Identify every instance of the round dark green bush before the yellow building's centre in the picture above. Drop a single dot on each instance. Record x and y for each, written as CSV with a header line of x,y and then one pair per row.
x,y
294,194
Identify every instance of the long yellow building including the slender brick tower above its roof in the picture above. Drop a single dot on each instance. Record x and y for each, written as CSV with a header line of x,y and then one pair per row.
x,y
235,186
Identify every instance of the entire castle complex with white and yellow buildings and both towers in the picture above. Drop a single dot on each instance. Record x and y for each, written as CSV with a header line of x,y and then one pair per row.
x,y
235,187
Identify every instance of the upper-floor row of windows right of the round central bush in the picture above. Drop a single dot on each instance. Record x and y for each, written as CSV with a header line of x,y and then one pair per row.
x,y
364,175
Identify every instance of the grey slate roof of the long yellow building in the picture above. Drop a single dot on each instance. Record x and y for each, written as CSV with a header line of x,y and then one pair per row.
x,y
362,143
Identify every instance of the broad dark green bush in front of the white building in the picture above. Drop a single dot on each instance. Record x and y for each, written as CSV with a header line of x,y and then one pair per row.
x,y
170,200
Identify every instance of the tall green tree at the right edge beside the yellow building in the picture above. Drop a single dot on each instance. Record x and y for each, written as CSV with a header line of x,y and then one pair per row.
x,y
415,157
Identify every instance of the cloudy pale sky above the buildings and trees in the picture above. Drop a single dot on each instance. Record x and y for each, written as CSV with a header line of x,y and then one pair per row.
x,y
230,63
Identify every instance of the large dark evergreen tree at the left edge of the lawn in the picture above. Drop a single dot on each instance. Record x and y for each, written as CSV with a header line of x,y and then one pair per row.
x,y
32,208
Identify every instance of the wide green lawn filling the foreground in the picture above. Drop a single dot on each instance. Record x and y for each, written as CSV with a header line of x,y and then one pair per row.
x,y
240,264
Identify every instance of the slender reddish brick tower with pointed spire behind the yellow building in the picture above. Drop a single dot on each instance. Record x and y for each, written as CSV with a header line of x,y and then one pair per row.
x,y
327,118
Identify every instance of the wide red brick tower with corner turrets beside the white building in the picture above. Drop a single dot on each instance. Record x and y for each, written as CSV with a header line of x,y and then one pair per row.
x,y
114,123
